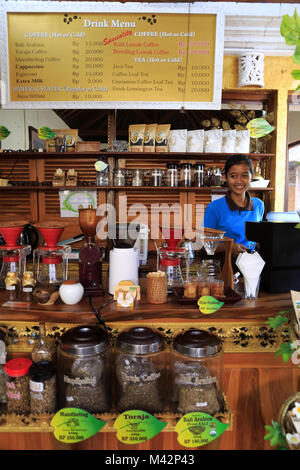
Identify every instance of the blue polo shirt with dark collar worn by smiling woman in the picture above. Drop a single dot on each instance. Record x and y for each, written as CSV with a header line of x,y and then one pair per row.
x,y
224,214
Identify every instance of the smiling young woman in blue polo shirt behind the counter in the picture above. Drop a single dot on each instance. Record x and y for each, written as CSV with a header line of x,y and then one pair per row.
x,y
230,212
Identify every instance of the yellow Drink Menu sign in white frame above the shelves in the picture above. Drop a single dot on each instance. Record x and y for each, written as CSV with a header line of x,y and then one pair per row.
x,y
151,57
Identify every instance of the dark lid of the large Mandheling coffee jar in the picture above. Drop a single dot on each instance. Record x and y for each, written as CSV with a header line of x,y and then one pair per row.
x,y
84,340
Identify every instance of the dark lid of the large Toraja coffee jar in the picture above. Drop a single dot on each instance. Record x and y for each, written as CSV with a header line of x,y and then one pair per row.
x,y
140,340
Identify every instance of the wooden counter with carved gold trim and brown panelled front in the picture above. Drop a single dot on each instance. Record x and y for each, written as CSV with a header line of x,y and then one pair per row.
x,y
256,383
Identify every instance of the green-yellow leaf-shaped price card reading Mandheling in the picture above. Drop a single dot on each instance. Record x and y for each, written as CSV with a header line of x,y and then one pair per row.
x,y
74,425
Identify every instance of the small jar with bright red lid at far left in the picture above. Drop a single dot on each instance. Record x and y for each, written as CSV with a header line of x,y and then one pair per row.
x,y
17,385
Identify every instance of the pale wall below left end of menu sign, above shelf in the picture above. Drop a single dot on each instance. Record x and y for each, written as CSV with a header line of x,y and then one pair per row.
x,y
17,122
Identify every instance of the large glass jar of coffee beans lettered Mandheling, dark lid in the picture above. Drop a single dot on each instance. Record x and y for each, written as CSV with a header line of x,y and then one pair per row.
x,y
83,365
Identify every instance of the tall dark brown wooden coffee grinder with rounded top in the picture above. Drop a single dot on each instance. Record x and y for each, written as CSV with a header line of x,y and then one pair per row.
x,y
90,255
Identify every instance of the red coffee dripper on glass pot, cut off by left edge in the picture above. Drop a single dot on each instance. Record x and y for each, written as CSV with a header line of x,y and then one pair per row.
x,y
13,254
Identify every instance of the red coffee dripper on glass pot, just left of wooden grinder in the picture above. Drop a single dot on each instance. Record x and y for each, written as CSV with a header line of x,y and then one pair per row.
x,y
50,262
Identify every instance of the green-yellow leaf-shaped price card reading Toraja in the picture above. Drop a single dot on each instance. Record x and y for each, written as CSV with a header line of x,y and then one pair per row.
x,y
136,426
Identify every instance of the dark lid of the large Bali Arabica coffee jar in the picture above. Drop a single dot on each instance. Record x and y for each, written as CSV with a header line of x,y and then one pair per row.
x,y
197,343
